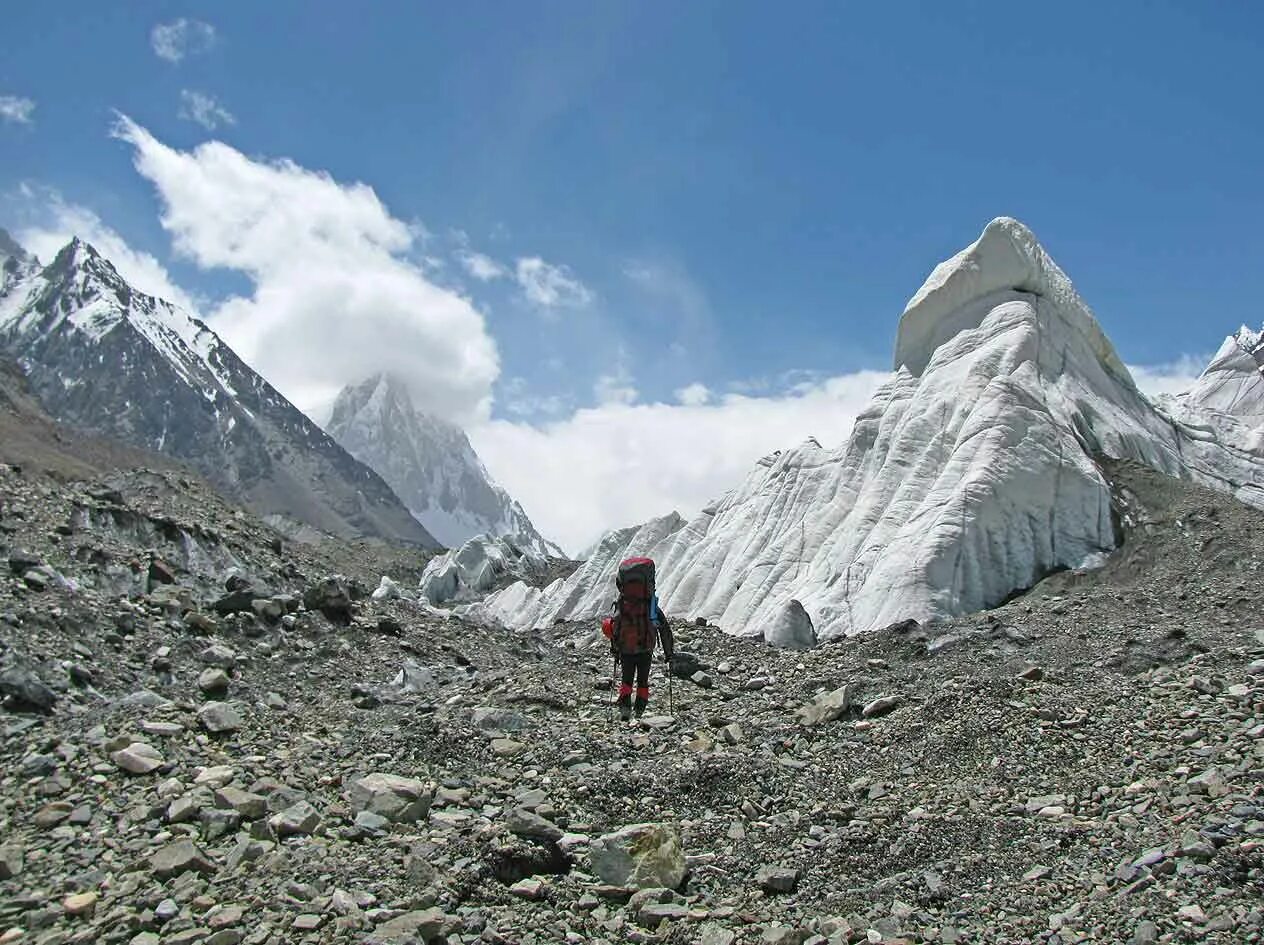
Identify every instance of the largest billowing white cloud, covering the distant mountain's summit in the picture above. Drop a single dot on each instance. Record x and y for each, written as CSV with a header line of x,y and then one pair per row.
x,y
336,295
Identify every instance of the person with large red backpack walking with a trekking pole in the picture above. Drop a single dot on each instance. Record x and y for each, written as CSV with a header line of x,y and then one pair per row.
x,y
634,629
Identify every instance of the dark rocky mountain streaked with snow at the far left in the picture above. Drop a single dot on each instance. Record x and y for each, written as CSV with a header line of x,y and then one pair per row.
x,y
107,358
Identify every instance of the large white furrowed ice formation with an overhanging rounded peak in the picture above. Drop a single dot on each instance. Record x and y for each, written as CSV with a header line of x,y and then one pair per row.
x,y
973,473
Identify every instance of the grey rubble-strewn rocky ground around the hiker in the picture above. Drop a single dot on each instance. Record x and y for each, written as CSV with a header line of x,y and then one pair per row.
x,y
216,736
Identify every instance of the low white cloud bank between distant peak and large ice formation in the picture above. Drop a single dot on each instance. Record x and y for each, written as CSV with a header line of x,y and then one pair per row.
x,y
620,464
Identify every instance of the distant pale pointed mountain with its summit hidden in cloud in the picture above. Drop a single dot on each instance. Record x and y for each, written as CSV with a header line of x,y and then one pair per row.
x,y
430,464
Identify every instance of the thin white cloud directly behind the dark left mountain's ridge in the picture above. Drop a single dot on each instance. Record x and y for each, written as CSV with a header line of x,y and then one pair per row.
x,y
56,222
